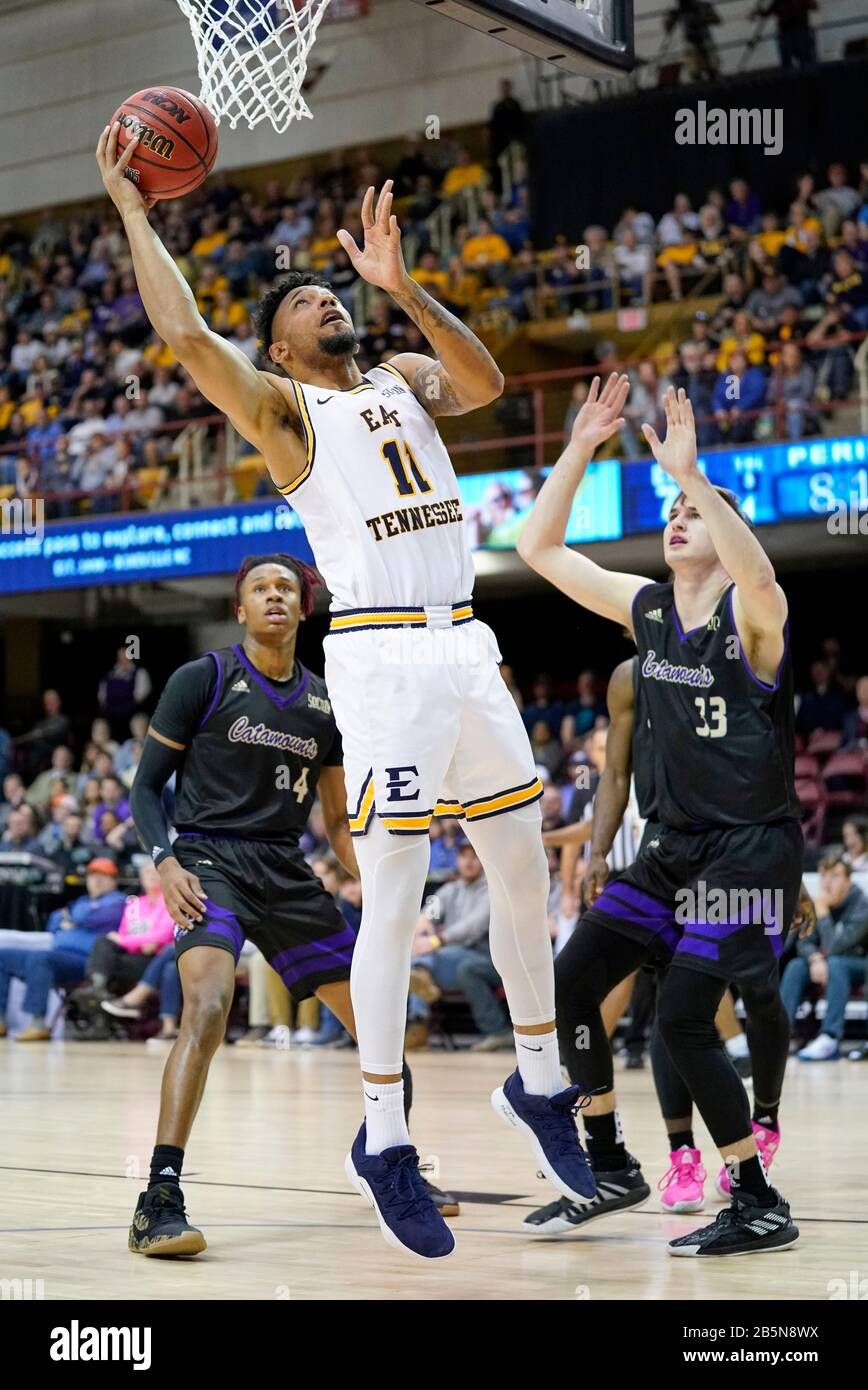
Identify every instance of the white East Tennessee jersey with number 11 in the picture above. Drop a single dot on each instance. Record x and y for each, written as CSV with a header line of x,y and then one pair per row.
x,y
379,497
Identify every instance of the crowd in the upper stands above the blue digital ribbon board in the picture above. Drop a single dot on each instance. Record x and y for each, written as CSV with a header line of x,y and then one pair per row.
x,y
95,411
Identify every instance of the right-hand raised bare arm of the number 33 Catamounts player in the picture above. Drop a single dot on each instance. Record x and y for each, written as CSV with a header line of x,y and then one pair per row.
x,y
760,604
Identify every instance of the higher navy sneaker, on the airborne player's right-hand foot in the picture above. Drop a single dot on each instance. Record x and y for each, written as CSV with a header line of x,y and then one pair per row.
x,y
549,1124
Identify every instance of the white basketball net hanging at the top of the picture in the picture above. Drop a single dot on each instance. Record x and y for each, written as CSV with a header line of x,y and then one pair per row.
x,y
252,58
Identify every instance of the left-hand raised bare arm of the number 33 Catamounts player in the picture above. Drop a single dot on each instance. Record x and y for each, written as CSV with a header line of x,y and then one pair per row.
x,y
543,541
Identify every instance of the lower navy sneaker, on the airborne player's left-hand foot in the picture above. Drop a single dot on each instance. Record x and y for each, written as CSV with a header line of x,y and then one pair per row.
x,y
393,1185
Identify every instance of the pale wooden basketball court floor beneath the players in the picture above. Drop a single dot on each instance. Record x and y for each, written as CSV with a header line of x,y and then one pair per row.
x,y
266,1185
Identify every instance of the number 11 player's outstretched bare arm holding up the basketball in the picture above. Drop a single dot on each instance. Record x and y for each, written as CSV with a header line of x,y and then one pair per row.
x,y
222,373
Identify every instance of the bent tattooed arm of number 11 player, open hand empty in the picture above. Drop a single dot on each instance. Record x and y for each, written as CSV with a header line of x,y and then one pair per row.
x,y
464,376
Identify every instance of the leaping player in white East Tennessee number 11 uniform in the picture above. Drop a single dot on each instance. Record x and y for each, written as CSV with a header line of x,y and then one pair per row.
x,y
426,721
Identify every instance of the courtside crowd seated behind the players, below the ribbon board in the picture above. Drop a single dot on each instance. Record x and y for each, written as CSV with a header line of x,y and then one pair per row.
x,y
67,804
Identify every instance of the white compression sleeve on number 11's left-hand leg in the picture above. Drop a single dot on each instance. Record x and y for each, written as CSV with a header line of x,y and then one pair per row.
x,y
394,871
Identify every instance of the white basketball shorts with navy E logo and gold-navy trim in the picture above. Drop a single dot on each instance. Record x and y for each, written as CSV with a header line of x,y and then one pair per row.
x,y
428,723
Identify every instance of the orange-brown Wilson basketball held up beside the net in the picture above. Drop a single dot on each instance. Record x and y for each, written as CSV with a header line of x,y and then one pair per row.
x,y
179,141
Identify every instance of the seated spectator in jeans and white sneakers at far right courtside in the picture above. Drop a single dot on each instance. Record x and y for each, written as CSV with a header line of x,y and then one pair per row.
x,y
831,957
